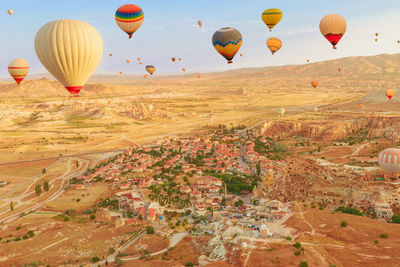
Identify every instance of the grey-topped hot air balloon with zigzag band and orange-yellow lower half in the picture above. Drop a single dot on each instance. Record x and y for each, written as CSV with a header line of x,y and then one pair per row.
x,y
227,42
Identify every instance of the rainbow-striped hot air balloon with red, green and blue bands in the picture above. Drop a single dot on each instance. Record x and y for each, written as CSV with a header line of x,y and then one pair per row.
x,y
129,18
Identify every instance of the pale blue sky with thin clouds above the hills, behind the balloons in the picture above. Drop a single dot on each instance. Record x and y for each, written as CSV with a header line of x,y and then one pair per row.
x,y
170,30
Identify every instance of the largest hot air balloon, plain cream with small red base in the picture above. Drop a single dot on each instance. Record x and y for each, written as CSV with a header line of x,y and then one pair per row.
x,y
70,50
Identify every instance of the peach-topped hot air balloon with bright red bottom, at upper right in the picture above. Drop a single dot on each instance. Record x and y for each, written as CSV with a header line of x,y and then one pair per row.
x,y
333,27
